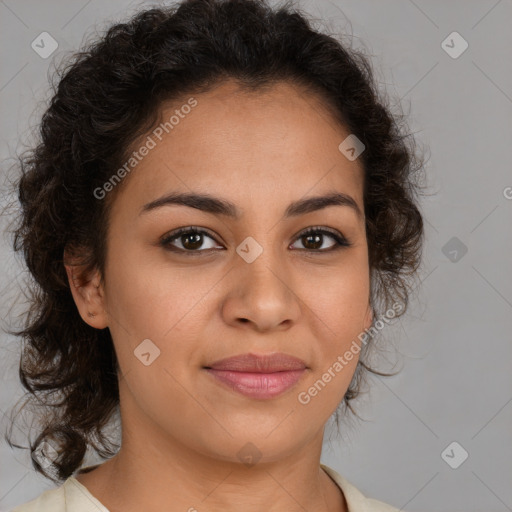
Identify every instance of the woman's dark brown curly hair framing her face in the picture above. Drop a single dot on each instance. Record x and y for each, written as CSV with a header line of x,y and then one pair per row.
x,y
110,94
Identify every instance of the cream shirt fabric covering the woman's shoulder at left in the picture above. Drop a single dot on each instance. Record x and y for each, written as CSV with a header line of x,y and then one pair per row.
x,y
71,496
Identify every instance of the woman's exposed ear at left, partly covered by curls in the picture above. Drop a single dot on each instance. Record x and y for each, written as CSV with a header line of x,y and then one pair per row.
x,y
88,294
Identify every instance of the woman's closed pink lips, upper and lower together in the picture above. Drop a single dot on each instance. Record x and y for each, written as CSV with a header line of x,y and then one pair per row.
x,y
258,377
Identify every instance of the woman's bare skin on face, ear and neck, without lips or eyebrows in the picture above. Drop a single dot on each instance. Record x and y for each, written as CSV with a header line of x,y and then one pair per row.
x,y
181,428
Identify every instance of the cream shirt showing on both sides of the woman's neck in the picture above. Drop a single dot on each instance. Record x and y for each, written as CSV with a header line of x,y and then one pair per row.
x,y
72,496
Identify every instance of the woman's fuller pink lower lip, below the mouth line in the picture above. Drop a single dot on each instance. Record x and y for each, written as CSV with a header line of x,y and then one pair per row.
x,y
258,385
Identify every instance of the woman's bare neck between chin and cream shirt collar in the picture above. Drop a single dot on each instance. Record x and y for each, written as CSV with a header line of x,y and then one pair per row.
x,y
154,471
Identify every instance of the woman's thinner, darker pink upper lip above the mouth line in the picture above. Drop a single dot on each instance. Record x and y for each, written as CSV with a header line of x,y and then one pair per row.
x,y
267,363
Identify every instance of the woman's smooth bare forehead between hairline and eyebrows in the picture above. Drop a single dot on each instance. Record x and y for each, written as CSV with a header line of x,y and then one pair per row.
x,y
275,145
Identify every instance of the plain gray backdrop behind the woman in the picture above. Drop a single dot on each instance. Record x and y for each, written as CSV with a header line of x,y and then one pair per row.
x,y
455,344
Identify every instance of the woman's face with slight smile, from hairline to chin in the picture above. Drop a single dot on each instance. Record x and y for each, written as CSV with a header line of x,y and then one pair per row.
x,y
251,283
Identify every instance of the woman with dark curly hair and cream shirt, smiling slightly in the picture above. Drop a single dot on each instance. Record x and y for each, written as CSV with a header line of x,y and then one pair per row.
x,y
219,211
